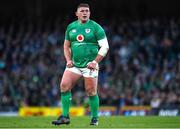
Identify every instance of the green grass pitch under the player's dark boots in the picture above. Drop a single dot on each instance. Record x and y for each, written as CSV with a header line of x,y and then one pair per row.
x,y
150,122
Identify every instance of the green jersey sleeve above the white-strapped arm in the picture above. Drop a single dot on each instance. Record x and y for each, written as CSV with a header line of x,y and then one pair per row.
x,y
99,32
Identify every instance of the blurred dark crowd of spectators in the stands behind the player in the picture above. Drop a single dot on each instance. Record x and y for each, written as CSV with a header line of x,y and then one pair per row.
x,y
141,68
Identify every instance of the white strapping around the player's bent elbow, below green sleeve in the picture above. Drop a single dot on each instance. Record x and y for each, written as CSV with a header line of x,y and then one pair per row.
x,y
104,47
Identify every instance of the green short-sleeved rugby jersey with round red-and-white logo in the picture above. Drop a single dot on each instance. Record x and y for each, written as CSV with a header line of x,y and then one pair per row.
x,y
84,41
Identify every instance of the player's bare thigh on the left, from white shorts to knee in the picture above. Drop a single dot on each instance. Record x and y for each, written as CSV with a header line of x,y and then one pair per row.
x,y
68,80
